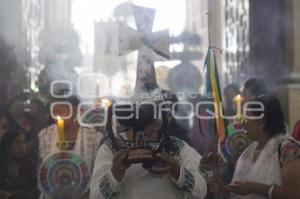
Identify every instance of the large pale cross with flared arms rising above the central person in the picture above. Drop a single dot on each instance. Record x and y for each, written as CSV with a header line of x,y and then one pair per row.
x,y
145,42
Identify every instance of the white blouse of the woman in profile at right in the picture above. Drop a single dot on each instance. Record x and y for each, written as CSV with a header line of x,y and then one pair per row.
x,y
266,169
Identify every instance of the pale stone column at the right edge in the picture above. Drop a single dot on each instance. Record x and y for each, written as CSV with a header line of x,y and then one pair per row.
x,y
291,82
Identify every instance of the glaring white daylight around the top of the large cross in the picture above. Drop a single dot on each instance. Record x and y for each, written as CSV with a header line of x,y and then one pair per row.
x,y
86,12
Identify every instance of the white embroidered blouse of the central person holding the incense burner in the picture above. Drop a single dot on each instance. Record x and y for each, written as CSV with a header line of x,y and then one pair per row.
x,y
139,183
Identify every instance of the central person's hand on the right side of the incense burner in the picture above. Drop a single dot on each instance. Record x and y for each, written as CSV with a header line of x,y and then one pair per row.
x,y
171,166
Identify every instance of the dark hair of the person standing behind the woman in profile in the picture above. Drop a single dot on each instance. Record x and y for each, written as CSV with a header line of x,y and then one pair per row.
x,y
256,86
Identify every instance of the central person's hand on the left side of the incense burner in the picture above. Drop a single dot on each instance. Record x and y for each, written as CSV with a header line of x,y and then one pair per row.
x,y
120,166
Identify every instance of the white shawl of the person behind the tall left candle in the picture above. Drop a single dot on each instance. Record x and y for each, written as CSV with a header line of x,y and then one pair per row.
x,y
86,146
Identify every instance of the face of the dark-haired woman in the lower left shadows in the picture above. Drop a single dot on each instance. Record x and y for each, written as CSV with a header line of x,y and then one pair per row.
x,y
18,147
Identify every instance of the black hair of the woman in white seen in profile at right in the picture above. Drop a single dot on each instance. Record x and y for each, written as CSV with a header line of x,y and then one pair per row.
x,y
274,122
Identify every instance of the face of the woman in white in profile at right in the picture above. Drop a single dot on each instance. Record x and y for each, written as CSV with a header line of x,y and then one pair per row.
x,y
253,127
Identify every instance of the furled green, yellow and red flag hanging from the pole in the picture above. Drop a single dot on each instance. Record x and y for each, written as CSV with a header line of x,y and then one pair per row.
x,y
213,94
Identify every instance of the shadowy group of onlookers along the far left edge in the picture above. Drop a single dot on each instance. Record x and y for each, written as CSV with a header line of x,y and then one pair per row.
x,y
19,154
